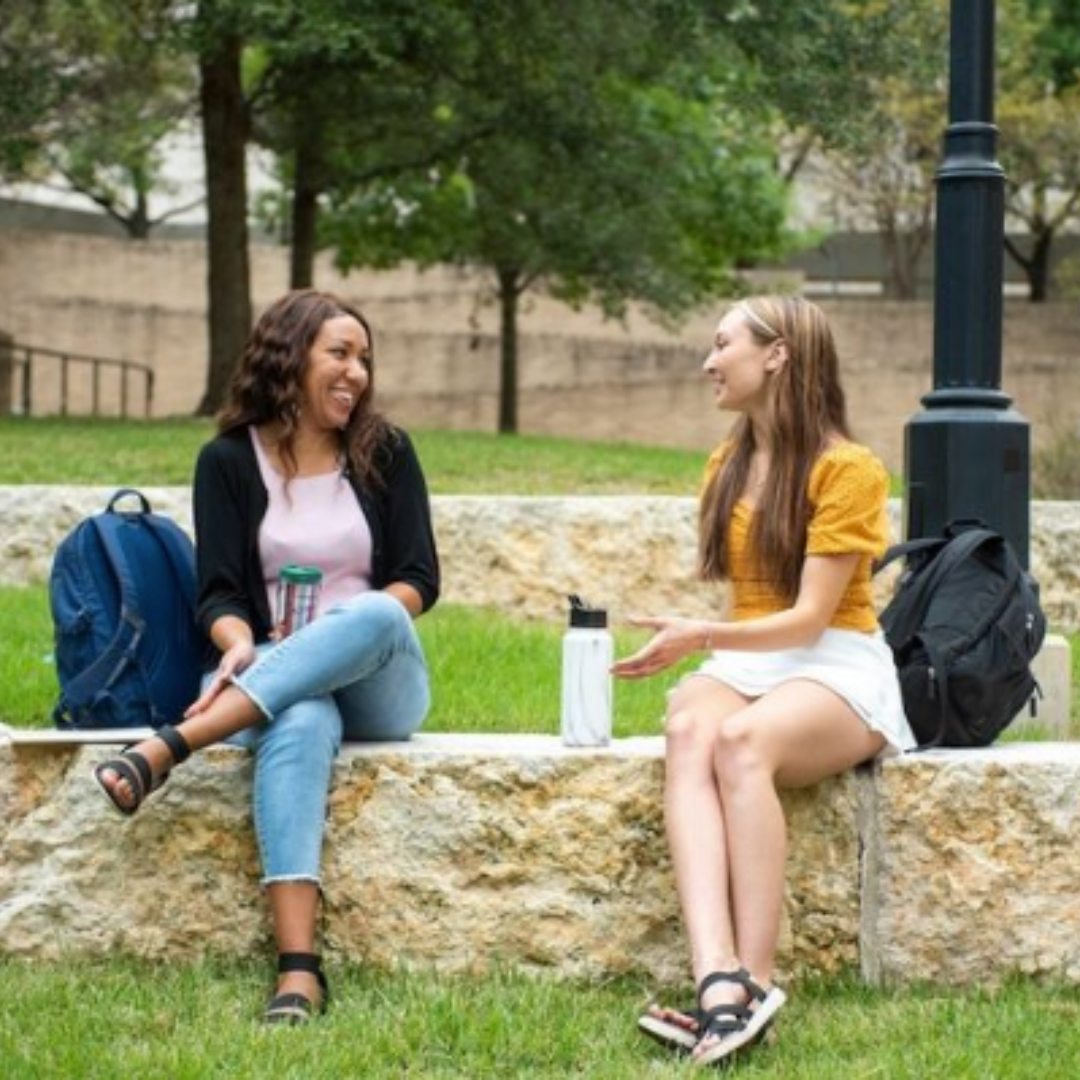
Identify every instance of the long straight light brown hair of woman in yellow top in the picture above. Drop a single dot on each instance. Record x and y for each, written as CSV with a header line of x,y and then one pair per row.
x,y
806,408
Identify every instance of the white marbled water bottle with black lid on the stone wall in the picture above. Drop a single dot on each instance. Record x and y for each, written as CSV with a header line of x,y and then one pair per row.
x,y
588,655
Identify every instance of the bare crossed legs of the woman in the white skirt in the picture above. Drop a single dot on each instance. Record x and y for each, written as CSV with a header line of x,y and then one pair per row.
x,y
726,758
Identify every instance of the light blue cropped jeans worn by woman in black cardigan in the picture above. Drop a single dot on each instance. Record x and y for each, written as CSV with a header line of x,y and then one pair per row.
x,y
358,673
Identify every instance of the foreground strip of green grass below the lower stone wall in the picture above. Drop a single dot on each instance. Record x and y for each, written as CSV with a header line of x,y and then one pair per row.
x,y
197,1022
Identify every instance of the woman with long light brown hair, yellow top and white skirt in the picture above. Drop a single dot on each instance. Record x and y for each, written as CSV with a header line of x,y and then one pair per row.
x,y
798,683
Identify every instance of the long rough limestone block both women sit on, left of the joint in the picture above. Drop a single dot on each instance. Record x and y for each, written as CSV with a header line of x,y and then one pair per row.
x,y
457,853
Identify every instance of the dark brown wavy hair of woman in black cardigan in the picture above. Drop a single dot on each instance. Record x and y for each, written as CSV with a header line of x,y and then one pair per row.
x,y
267,386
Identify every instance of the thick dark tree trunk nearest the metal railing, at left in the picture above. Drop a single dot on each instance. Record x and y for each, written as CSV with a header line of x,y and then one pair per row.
x,y
225,144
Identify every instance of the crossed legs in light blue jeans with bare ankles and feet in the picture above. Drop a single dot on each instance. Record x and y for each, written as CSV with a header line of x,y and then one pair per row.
x,y
358,672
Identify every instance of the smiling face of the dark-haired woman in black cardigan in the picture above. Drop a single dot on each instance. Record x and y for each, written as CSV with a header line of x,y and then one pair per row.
x,y
336,374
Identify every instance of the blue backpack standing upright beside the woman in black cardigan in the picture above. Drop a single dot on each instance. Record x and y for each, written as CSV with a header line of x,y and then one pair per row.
x,y
123,593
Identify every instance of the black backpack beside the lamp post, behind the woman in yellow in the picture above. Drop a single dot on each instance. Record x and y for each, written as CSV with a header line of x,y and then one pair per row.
x,y
964,626
